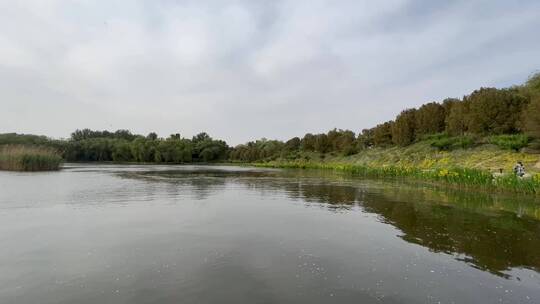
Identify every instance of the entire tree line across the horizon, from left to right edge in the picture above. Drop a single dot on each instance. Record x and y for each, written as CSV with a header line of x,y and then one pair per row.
x,y
484,112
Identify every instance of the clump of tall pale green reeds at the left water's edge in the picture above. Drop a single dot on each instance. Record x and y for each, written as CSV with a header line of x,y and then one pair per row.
x,y
29,158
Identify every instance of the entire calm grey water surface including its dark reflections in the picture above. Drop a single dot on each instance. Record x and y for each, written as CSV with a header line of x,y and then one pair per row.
x,y
198,234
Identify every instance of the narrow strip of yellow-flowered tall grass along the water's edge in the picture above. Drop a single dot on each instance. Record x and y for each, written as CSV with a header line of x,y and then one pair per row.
x,y
474,178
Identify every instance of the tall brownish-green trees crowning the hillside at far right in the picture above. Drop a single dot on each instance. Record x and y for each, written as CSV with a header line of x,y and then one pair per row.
x,y
484,112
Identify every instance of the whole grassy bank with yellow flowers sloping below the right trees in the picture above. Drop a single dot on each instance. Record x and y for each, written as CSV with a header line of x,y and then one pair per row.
x,y
477,167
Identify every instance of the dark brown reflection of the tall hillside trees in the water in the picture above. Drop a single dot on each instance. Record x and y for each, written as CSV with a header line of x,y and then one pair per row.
x,y
492,242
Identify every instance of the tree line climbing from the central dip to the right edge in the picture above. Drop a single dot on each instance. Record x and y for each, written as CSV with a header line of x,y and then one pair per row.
x,y
485,112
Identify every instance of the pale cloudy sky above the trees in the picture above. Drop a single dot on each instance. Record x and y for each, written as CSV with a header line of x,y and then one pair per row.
x,y
247,69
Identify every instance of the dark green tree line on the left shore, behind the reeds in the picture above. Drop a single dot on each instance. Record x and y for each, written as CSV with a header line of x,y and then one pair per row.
x,y
123,146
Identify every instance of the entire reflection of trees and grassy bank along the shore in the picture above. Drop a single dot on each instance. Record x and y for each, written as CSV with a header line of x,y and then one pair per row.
x,y
490,232
